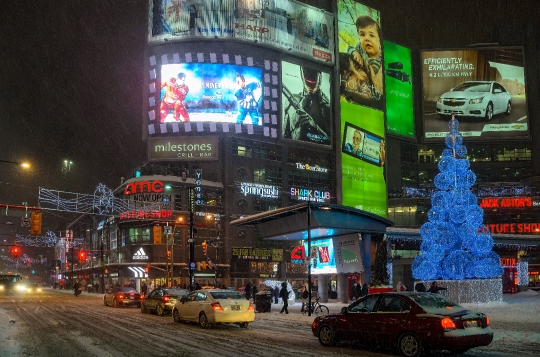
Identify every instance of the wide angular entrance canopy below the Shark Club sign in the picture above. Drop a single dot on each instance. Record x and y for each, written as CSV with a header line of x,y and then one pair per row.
x,y
326,220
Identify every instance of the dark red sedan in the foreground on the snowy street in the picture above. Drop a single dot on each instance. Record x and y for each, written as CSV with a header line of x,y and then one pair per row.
x,y
411,322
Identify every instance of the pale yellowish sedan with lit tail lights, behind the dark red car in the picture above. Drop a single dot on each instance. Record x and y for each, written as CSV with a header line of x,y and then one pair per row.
x,y
214,306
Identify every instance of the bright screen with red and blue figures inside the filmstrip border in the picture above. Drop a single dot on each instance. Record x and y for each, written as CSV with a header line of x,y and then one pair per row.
x,y
210,92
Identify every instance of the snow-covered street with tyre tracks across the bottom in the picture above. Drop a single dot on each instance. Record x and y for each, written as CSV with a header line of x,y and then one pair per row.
x,y
58,324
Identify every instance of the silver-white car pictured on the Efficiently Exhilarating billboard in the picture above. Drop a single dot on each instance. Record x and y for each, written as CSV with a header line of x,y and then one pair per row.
x,y
481,99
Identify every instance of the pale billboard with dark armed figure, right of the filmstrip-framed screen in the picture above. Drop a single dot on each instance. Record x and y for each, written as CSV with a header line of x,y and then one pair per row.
x,y
306,110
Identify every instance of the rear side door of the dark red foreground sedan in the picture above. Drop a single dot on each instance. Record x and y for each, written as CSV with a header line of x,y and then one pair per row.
x,y
393,314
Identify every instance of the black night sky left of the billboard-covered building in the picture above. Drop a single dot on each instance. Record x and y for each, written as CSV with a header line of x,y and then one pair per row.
x,y
71,86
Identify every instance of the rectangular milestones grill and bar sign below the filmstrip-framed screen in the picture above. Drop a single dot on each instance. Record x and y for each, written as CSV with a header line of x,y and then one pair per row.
x,y
200,148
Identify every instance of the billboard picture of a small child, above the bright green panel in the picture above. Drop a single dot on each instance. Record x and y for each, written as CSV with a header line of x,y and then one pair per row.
x,y
360,54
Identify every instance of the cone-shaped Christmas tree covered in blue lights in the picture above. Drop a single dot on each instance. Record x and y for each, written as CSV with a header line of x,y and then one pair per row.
x,y
456,245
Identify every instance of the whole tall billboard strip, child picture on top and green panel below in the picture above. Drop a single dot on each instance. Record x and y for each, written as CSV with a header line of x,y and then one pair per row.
x,y
361,66
